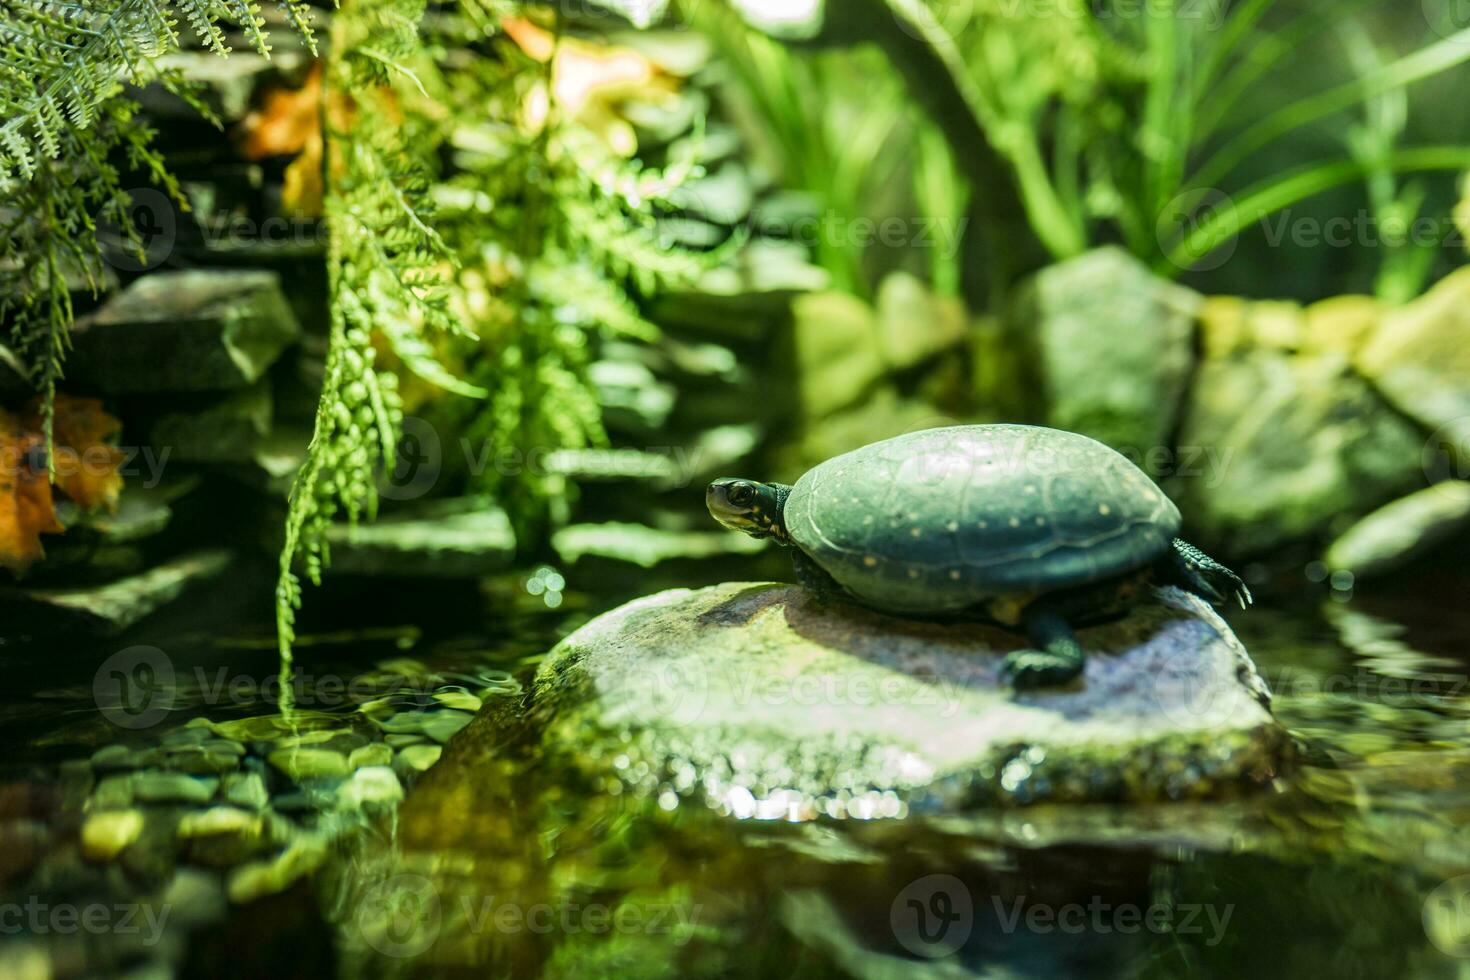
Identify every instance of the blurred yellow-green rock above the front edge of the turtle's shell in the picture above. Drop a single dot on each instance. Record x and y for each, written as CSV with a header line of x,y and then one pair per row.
x,y
839,352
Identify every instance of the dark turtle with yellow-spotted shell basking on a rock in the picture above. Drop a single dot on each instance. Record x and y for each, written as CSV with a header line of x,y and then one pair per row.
x,y
1036,530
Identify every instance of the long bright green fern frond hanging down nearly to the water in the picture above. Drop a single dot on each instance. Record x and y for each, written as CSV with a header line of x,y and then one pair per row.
x,y
384,278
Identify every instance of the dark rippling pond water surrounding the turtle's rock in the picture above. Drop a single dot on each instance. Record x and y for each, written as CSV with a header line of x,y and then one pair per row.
x,y
503,865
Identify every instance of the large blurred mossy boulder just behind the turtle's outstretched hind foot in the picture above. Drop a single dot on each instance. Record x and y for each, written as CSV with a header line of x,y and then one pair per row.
x,y
1278,449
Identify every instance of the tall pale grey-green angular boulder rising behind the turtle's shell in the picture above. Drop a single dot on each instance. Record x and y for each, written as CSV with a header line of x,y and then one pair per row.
x,y
1114,347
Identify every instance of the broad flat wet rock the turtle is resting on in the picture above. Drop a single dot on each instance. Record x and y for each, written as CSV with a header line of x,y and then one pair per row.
x,y
770,705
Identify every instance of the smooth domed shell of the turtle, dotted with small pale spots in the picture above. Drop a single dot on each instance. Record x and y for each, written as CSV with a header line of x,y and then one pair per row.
x,y
943,519
